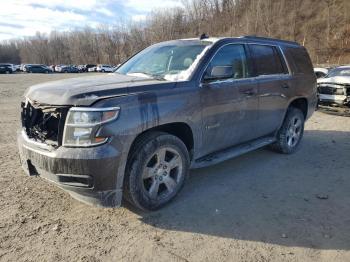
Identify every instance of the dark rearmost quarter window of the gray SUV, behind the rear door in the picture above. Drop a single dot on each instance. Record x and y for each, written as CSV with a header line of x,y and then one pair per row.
x,y
301,61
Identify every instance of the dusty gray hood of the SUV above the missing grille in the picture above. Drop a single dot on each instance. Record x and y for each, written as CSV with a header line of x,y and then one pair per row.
x,y
83,91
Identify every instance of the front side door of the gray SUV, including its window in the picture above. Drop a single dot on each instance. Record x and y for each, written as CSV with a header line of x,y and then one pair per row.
x,y
229,103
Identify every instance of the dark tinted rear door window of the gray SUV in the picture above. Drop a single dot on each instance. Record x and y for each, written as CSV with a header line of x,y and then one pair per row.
x,y
268,60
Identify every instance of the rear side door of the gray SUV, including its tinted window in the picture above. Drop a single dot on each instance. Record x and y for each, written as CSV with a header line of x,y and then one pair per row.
x,y
274,86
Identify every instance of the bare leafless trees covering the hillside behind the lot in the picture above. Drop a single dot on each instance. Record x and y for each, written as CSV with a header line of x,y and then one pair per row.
x,y
322,26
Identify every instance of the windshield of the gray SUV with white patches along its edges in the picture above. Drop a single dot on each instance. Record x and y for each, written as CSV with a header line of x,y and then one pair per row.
x,y
174,61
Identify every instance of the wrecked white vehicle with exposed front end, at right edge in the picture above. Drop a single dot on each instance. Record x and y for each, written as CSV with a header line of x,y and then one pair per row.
x,y
334,88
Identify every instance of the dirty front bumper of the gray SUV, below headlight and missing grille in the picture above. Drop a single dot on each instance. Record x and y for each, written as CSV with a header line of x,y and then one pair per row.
x,y
88,174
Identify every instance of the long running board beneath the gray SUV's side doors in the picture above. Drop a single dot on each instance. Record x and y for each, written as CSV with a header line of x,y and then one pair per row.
x,y
220,156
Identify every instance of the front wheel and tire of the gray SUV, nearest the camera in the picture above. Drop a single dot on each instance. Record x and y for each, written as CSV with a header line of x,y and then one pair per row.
x,y
156,170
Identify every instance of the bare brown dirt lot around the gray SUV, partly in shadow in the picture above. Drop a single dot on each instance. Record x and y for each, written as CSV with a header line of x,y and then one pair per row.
x,y
261,206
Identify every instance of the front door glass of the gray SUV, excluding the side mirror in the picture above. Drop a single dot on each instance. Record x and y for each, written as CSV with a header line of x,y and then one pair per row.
x,y
234,56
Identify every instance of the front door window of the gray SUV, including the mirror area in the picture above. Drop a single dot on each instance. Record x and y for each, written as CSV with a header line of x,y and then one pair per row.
x,y
231,60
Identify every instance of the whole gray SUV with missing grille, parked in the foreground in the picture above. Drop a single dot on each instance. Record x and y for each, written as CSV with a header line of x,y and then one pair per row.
x,y
176,105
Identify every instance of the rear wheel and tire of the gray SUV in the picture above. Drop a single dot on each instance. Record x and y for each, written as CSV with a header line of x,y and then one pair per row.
x,y
291,132
